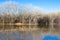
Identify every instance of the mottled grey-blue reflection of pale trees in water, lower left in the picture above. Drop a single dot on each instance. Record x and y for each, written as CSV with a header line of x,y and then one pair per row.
x,y
16,36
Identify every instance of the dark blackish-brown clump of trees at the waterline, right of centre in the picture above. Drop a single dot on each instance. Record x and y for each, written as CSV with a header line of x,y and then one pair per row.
x,y
43,22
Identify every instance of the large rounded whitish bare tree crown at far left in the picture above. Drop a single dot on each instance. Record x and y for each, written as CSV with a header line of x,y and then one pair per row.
x,y
10,7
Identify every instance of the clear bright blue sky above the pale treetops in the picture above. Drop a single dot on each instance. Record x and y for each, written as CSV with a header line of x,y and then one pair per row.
x,y
46,5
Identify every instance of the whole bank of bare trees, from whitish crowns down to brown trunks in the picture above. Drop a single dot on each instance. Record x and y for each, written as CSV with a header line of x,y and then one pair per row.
x,y
15,14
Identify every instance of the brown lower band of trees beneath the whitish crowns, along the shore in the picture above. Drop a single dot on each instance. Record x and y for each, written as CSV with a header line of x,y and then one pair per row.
x,y
39,19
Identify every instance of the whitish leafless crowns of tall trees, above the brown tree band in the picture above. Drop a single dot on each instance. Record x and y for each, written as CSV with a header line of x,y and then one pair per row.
x,y
14,7
